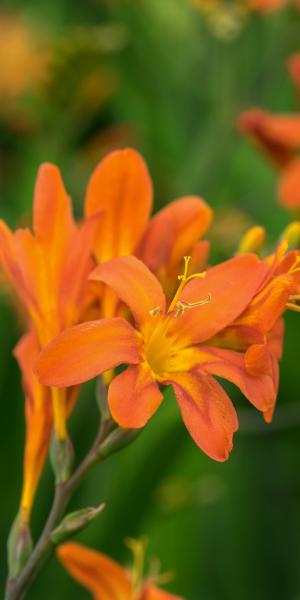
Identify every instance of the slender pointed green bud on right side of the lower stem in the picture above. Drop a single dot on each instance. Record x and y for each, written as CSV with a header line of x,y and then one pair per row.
x,y
74,522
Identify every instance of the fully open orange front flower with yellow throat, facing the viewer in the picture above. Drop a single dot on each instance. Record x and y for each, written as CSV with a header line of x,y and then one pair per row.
x,y
167,346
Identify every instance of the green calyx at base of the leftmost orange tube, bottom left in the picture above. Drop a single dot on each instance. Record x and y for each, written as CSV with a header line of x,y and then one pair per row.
x,y
19,545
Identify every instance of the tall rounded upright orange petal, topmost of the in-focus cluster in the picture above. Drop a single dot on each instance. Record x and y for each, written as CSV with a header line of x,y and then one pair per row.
x,y
122,188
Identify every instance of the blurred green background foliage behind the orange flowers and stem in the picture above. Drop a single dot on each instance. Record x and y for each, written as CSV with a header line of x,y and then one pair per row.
x,y
78,79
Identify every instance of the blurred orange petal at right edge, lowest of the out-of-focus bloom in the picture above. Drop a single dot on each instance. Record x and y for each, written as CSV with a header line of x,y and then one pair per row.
x,y
289,185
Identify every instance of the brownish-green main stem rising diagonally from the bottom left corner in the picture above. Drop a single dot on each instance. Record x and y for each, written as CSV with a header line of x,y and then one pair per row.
x,y
108,440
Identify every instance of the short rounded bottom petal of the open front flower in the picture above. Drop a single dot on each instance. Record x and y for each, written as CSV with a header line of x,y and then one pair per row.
x,y
133,397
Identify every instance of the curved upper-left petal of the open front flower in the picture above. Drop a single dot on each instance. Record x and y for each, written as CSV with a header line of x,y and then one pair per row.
x,y
134,284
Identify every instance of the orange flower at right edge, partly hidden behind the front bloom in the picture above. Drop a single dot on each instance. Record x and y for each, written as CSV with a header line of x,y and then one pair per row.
x,y
258,331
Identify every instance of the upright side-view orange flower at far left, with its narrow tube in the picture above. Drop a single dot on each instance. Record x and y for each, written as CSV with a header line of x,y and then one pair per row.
x,y
48,268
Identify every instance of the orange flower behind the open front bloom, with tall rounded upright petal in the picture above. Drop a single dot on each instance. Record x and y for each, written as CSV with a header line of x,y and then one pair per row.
x,y
121,188
